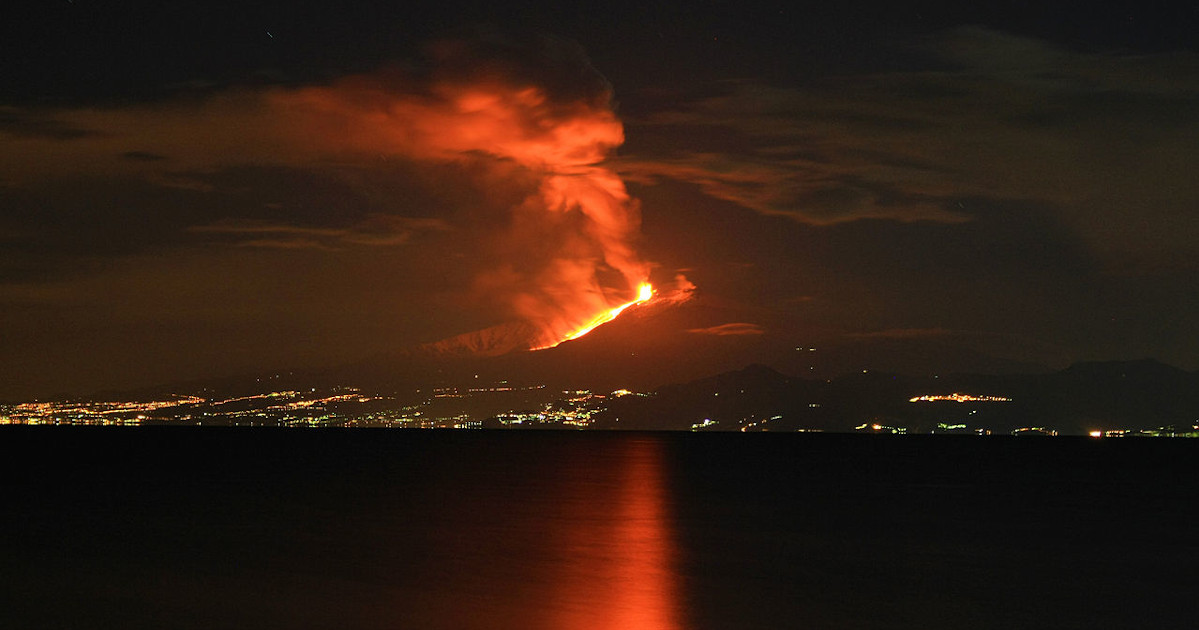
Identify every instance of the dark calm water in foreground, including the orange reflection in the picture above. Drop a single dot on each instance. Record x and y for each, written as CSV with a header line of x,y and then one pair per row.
x,y
347,530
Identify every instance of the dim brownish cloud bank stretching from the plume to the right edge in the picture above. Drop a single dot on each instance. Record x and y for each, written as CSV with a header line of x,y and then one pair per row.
x,y
1099,139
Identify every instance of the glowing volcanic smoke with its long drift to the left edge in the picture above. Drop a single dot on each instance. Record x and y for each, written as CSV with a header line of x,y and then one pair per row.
x,y
551,231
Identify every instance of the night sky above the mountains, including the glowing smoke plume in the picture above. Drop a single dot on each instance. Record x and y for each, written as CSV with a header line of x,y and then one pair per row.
x,y
206,189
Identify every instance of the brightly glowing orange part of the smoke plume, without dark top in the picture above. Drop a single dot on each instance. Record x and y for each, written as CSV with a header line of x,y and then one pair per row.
x,y
581,217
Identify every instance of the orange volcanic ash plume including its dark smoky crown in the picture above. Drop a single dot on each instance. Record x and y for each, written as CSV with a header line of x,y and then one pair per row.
x,y
555,122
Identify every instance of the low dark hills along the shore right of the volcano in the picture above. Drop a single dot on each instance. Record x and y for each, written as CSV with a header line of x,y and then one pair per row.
x,y
1077,400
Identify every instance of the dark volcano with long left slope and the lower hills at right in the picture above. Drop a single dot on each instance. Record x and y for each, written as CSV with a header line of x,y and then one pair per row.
x,y
673,351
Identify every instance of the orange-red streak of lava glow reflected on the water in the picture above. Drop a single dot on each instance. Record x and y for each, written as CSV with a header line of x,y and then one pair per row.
x,y
622,569
